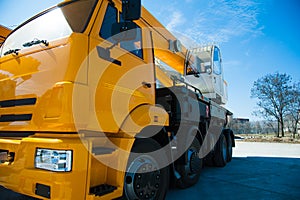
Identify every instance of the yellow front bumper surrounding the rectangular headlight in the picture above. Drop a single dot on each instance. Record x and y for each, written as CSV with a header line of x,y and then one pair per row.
x,y
20,175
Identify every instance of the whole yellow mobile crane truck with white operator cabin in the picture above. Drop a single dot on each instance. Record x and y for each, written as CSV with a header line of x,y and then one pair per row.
x,y
90,110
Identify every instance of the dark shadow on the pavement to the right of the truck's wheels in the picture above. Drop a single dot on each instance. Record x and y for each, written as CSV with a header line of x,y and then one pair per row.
x,y
247,178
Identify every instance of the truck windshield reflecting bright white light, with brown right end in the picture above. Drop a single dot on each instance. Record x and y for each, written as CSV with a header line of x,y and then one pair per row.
x,y
52,24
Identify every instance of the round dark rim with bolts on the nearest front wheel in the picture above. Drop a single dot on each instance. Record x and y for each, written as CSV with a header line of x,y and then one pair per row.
x,y
142,168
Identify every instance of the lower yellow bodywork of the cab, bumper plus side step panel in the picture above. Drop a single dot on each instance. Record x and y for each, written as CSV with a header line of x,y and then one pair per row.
x,y
87,170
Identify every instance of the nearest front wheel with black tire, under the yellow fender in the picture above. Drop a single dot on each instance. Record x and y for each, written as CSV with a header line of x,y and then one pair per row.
x,y
144,178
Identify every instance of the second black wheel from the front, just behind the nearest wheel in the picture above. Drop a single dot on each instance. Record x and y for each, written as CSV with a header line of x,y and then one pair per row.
x,y
190,172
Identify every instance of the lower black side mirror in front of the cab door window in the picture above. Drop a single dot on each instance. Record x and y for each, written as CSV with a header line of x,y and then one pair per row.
x,y
124,31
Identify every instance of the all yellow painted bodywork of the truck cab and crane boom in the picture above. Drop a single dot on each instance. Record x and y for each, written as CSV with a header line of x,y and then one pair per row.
x,y
79,93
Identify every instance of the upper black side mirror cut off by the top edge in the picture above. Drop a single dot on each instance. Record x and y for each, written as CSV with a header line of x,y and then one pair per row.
x,y
131,9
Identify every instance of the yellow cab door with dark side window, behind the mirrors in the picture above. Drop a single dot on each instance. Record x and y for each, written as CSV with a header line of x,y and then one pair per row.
x,y
121,76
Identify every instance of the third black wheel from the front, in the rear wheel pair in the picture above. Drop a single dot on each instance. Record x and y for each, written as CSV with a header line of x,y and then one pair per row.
x,y
220,153
